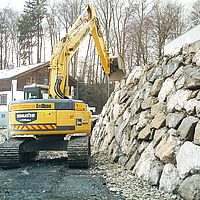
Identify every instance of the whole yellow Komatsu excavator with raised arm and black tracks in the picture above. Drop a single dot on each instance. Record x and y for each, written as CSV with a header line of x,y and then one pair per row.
x,y
37,124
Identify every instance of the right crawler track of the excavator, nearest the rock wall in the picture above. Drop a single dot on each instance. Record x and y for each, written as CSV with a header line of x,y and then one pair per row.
x,y
78,151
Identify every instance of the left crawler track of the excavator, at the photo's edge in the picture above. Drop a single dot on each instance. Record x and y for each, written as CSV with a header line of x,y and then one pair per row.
x,y
10,153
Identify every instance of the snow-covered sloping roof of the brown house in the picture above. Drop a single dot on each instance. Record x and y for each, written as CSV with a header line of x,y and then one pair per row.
x,y
16,72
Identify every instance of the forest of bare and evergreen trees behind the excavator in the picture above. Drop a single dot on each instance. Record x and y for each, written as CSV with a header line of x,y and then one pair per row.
x,y
135,29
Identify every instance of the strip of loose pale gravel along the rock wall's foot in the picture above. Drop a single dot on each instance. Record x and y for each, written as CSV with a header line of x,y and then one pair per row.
x,y
123,182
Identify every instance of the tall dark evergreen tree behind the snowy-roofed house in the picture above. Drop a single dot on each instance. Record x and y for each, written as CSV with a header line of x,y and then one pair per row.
x,y
31,30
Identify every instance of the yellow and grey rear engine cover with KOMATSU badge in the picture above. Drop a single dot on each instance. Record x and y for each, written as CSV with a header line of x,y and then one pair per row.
x,y
48,117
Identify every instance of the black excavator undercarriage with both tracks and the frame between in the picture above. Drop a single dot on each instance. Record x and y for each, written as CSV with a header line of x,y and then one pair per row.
x,y
18,150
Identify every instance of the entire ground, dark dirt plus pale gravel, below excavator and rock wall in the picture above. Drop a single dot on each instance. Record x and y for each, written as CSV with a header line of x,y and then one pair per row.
x,y
49,178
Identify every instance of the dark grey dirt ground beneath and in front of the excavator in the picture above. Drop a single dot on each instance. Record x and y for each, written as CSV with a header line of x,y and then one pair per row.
x,y
49,178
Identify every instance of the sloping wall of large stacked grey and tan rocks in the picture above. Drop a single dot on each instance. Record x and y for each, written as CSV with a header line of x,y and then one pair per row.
x,y
151,125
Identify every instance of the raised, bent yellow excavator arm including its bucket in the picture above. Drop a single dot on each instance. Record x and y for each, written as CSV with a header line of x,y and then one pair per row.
x,y
64,50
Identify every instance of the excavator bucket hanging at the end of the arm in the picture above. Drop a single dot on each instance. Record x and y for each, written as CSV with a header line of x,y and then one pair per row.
x,y
117,69
